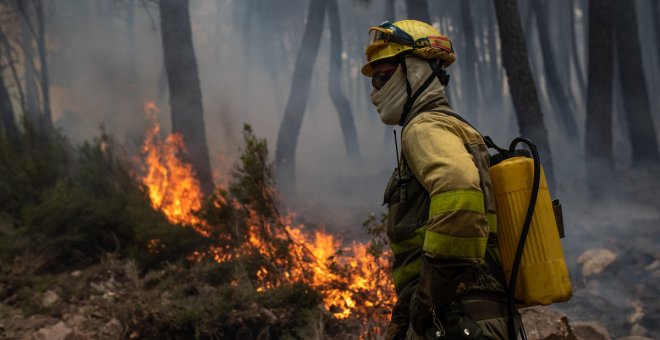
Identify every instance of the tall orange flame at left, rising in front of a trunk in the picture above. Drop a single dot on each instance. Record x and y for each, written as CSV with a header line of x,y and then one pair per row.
x,y
171,183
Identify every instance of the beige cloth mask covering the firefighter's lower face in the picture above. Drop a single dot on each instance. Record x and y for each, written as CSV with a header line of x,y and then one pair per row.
x,y
391,98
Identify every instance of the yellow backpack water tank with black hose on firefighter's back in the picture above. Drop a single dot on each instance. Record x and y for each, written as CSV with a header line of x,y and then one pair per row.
x,y
528,220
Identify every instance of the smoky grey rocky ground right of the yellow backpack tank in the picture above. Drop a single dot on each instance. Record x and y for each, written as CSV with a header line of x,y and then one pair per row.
x,y
612,248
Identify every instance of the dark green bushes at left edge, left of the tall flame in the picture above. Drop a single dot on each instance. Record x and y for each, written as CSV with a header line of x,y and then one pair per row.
x,y
63,207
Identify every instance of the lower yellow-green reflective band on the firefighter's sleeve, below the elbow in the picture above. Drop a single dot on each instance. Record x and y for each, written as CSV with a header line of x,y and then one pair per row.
x,y
454,247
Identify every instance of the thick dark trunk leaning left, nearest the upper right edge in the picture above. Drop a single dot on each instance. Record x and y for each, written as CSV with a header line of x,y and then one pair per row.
x,y
633,85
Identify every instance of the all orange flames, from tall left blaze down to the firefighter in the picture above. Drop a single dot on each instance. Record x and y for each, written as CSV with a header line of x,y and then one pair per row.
x,y
352,282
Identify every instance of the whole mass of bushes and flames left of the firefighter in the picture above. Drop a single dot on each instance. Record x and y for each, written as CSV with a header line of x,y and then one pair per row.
x,y
184,266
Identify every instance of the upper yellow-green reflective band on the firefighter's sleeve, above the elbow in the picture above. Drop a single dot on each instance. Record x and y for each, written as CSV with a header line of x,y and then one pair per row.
x,y
457,200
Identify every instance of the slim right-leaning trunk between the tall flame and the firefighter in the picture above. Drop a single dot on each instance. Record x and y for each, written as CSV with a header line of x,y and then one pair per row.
x,y
287,139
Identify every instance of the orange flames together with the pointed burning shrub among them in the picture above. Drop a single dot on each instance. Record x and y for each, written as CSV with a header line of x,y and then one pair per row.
x,y
266,252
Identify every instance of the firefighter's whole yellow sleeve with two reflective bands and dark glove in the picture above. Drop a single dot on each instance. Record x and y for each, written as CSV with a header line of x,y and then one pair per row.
x,y
457,228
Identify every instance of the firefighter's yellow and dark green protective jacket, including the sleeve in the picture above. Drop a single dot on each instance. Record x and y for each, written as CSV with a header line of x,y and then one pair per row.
x,y
442,226
